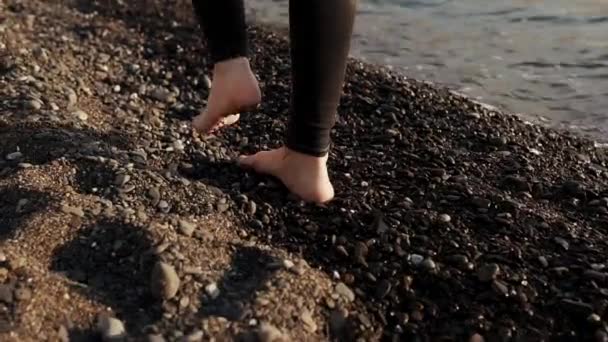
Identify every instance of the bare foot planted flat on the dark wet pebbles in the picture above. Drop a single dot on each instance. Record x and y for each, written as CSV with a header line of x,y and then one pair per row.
x,y
305,176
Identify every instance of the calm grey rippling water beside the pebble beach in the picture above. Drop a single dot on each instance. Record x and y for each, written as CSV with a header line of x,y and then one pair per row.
x,y
546,58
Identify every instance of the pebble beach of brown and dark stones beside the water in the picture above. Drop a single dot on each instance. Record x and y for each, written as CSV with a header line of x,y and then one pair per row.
x,y
452,221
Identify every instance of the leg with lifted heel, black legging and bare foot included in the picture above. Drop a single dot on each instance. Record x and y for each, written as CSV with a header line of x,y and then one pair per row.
x,y
235,88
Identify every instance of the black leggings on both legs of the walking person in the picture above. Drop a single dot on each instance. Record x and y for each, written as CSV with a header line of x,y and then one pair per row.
x,y
320,34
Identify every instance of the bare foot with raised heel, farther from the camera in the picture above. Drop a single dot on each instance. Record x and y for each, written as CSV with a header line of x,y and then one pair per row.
x,y
234,89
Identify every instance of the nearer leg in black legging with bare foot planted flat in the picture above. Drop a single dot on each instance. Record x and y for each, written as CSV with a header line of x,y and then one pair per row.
x,y
320,32
